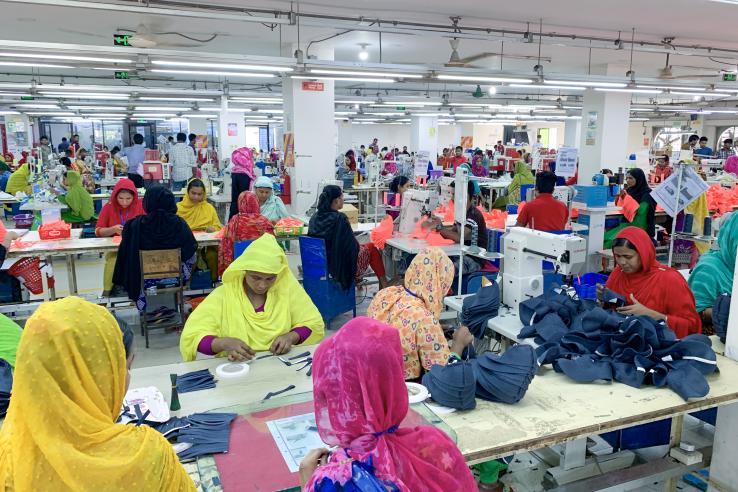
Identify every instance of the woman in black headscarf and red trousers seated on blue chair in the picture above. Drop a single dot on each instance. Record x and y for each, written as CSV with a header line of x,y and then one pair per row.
x,y
347,259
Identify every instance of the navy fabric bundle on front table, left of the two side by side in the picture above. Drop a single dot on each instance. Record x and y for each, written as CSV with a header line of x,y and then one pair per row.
x,y
453,385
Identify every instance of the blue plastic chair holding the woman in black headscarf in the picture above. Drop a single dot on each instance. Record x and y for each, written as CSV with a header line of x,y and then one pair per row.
x,y
326,293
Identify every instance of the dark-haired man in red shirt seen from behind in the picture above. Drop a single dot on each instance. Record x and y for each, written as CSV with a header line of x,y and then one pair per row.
x,y
544,213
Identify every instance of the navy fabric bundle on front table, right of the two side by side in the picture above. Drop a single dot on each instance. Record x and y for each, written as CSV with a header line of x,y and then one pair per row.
x,y
505,378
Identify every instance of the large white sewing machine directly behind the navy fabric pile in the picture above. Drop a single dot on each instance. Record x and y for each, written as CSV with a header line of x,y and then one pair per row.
x,y
525,250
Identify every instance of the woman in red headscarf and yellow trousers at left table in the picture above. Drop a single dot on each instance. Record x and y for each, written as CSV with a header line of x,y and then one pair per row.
x,y
123,205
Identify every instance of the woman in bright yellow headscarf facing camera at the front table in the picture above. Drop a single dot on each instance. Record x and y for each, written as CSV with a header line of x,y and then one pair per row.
x,y
260,306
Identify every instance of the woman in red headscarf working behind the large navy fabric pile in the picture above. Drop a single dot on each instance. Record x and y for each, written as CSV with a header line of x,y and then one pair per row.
x,y
650,288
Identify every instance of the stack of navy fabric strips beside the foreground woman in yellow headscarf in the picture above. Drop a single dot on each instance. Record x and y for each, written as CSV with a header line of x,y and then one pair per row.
x,y
208,433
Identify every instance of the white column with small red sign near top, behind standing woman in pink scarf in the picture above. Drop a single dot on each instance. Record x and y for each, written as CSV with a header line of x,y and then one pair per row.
x,y
309,116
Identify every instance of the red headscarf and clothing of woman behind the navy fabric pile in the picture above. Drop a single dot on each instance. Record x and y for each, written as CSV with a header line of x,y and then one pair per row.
x,y
656,286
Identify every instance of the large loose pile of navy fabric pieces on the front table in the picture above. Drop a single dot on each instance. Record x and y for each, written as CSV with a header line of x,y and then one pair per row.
x,y
588,343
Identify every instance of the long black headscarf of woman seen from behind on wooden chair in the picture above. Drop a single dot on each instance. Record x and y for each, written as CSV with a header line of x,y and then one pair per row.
x,y
160,228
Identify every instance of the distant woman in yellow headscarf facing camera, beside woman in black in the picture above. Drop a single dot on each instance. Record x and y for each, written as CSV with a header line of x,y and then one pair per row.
x,y
201,216
